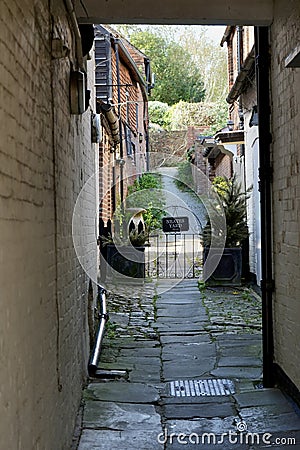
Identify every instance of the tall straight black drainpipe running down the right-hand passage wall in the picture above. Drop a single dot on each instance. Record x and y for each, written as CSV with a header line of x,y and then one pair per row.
x,y
265,179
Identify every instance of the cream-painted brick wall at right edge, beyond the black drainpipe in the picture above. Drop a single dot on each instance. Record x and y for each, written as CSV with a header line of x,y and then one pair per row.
x,y
285,35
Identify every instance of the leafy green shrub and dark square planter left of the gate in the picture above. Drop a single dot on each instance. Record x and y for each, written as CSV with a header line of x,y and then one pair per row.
x,y
123,242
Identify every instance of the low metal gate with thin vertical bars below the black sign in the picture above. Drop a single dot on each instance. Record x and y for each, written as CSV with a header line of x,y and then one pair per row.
x,y
174,255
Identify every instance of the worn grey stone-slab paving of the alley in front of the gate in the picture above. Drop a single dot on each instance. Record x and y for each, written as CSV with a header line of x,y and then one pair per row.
x,y
163,336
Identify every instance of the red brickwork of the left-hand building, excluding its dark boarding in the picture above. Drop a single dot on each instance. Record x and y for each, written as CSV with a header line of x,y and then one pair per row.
x,y
133,111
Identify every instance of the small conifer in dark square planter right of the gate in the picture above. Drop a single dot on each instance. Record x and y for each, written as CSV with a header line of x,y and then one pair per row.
x,y
233,200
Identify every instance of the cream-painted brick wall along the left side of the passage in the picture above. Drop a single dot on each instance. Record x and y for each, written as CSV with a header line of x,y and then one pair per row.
x,y
43,307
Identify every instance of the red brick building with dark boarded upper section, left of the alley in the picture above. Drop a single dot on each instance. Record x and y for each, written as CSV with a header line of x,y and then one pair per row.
x,y
122,88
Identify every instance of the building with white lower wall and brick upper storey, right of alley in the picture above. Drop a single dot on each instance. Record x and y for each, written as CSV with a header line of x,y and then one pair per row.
x,y
242,98
